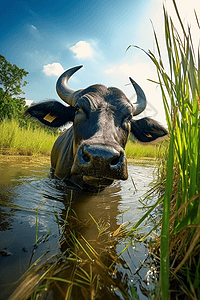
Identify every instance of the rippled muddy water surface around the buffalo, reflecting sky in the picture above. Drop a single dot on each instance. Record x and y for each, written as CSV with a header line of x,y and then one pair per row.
x,y
31,206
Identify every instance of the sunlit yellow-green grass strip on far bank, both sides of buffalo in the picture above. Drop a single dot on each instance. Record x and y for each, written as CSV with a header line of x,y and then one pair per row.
x,y
29,141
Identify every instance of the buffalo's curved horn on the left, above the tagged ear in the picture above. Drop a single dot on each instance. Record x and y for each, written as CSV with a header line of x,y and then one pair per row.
x,y
66,94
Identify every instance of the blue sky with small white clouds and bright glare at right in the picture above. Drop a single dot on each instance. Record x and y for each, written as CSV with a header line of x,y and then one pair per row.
x,y
47,37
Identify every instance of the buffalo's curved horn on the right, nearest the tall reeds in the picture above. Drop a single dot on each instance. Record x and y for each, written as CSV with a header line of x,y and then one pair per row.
x,y
141,98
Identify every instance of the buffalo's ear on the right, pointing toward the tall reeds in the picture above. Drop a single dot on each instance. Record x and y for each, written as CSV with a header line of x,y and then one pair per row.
x,y
147,130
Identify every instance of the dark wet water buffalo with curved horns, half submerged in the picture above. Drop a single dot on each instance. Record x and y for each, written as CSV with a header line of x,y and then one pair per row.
x,y
90,154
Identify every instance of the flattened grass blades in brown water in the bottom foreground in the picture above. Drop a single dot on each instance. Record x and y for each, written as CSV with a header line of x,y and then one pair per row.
x,y
84,270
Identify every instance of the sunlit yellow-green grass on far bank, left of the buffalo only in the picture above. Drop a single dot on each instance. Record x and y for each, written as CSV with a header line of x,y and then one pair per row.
x,y
25,141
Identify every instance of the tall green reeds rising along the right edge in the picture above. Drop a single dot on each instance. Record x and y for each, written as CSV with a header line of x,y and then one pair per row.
x,y
179,81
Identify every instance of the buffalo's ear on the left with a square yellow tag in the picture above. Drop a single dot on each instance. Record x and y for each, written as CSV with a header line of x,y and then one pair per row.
x,y
51,113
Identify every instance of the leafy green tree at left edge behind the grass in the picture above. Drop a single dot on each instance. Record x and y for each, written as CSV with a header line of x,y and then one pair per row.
x,y
11,82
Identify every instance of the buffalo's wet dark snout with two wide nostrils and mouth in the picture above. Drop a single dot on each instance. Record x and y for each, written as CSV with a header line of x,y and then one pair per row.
x,y
99,161
